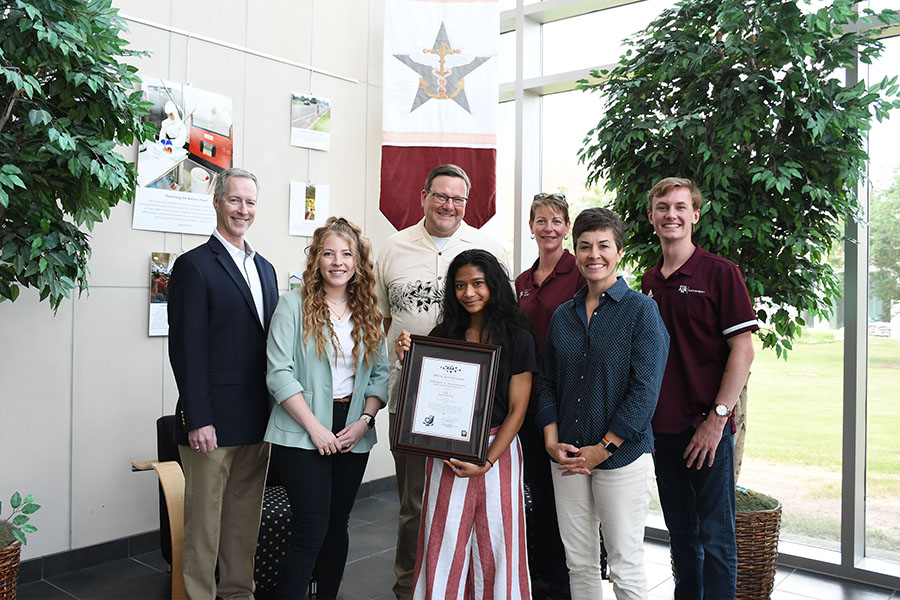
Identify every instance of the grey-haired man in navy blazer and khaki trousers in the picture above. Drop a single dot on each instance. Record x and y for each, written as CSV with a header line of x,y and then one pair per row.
x,y
221,298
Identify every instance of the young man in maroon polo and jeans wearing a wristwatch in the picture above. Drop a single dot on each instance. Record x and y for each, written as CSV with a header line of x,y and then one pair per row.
x,y
704,303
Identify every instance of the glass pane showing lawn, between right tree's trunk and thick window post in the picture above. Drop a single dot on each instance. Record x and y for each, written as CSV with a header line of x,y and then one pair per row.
x,y
794,431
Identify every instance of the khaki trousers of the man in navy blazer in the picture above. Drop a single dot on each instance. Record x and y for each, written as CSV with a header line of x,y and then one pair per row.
x,y
223,492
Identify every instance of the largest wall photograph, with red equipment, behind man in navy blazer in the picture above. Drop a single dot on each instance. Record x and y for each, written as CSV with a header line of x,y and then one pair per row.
x,y
175,170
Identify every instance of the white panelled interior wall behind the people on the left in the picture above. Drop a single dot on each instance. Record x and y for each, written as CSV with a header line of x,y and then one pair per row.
x,y
82,390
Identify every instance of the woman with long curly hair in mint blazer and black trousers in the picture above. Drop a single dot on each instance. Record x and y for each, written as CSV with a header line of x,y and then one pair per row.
x,y
328,372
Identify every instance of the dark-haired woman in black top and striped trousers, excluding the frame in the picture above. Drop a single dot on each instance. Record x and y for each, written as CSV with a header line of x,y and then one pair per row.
x,y
473,521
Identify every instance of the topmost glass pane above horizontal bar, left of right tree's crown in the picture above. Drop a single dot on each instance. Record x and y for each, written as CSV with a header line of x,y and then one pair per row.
x,y
596,38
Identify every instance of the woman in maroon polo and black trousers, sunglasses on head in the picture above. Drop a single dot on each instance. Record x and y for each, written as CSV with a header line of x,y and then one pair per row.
x,y
550,281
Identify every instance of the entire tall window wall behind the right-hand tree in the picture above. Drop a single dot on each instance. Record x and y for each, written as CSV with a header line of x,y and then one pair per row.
x,y
831,410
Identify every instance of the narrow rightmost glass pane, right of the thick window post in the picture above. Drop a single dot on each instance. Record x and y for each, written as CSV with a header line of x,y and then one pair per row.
x,y
882,402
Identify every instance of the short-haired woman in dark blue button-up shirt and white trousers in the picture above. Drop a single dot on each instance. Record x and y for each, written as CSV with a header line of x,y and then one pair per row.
x,y
599,383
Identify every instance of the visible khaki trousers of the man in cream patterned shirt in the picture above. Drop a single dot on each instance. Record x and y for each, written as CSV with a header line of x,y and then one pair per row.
x,y
411,486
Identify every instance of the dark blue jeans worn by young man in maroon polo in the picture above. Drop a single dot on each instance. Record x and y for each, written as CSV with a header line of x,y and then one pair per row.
x,y
698,506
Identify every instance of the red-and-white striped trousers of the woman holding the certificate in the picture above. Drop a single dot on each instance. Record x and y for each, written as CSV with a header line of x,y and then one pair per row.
x,y
472,534
